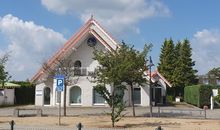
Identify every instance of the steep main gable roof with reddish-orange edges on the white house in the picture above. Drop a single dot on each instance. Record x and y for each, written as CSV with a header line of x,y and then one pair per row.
x,y
92,27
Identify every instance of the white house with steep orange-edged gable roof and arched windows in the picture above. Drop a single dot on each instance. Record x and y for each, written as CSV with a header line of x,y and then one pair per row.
x,y
81,93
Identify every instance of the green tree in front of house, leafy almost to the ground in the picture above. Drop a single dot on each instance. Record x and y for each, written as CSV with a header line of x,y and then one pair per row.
x,y
110,72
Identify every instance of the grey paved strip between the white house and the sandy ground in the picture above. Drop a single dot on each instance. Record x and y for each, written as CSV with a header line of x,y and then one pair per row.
x,y
169,111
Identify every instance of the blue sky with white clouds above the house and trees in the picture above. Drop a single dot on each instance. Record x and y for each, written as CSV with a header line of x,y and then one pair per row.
x,y
33,30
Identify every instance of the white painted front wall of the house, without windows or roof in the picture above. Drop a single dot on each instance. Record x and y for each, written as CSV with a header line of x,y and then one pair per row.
x,y
84,53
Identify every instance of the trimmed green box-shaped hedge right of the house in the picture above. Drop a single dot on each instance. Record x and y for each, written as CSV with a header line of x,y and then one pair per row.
x,y
198,95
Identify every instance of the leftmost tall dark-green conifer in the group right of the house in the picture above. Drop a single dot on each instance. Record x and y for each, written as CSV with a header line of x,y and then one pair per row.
x,y
167,59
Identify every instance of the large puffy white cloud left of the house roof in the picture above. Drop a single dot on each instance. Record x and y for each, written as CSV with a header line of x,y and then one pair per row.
x,y
29,44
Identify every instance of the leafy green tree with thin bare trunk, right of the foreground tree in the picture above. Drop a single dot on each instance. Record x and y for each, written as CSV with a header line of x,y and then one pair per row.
x,y
135,67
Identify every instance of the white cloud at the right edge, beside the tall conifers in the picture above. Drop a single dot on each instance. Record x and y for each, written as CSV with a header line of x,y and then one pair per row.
x,y
206,46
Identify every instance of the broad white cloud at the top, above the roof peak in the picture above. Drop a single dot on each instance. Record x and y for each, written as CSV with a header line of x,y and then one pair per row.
x,y
117,15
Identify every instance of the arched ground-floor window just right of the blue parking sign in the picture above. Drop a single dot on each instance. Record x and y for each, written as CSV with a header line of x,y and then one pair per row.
x,y
75,95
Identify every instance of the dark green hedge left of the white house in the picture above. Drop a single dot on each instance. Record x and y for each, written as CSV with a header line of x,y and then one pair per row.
x,y
25,94
